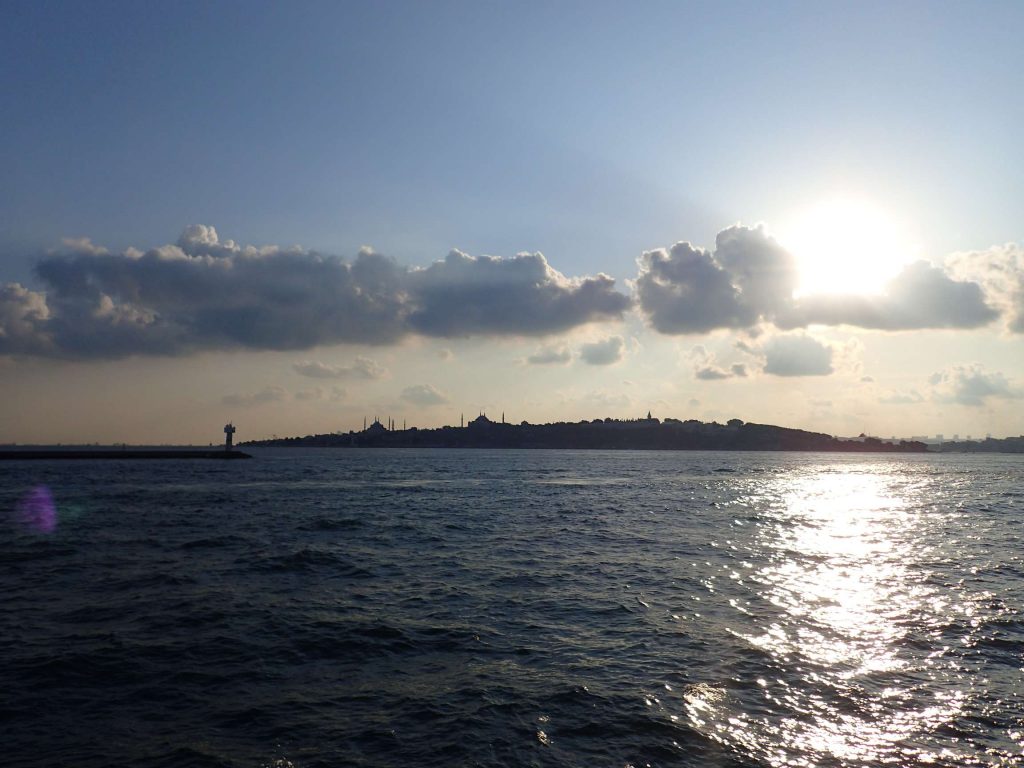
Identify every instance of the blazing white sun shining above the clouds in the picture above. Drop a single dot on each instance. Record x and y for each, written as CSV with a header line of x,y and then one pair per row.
x,y
847,245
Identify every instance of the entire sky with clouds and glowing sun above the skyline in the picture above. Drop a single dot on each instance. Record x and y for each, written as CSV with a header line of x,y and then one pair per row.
x,y
294,218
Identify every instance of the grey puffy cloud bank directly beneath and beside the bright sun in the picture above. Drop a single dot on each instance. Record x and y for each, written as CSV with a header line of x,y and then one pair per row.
x,y
750,279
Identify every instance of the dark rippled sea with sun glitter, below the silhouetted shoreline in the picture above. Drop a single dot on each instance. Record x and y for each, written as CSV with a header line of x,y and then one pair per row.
x,y
492,609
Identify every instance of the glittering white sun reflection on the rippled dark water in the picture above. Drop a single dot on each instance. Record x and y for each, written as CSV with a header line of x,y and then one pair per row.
x,y
844,590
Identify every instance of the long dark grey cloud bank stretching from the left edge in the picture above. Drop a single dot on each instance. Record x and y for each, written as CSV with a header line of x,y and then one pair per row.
x,y
204,293
